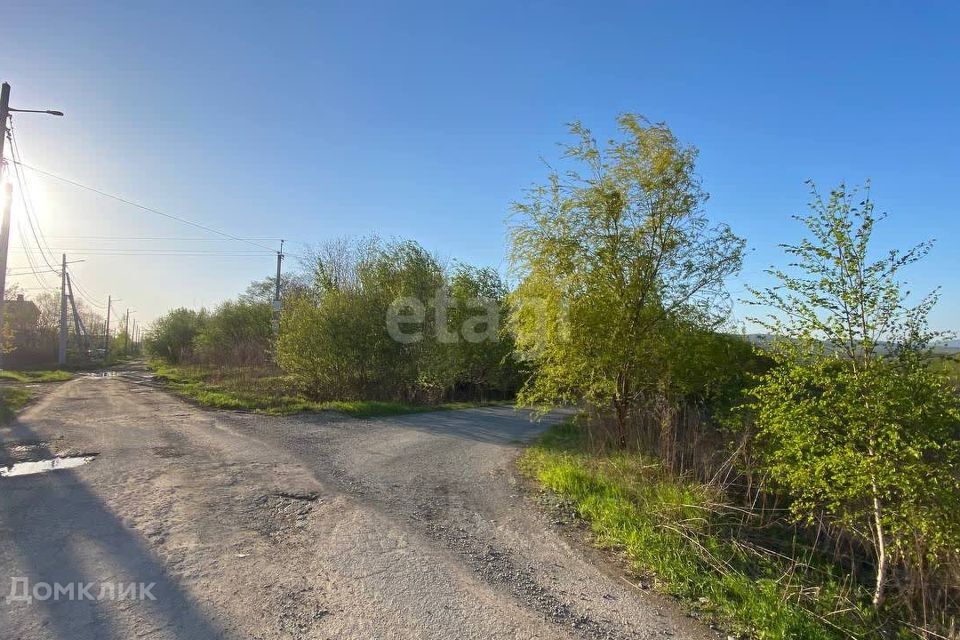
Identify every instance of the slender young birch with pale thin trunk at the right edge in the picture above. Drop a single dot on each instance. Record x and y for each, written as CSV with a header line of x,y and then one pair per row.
x,y
853,421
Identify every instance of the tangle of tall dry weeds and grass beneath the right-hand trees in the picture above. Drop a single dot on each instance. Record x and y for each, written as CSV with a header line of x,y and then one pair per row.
x,y
737,526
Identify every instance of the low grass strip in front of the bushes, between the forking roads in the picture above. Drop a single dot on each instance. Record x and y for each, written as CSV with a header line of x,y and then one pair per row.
x,y
270,392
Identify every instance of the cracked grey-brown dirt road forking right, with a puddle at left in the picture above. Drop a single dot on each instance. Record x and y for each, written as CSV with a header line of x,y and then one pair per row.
x,y
320,527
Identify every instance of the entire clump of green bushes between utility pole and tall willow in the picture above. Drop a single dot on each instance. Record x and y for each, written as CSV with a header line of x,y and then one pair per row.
x,y
336,336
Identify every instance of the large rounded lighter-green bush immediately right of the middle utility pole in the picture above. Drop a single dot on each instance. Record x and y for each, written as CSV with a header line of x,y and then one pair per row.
x,y
335,338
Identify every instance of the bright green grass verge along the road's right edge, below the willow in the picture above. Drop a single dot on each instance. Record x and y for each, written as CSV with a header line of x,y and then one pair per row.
x,y
673,532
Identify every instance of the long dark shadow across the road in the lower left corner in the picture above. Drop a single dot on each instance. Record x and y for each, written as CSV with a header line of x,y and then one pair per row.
x,y
53,529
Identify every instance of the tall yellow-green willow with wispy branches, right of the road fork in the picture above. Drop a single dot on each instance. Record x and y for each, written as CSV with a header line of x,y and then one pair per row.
x,y
613,255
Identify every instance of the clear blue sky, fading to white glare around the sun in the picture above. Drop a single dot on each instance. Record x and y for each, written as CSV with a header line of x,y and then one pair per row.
x,y
425,120
